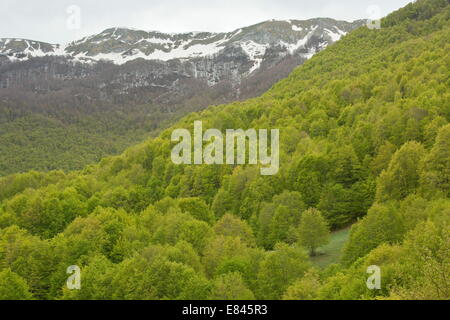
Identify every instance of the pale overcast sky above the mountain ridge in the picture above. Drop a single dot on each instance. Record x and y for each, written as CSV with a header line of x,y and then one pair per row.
x,y
59,21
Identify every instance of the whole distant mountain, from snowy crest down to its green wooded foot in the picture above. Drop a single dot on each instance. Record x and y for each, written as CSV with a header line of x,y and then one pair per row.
x,y
96,96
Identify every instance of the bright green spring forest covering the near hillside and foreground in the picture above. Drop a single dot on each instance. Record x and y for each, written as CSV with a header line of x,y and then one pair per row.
x,y
364,142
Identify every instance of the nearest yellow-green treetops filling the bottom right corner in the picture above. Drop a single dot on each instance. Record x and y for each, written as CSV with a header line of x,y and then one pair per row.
x,y
417,269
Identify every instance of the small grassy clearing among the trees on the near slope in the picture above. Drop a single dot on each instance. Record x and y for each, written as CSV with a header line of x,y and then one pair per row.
x,y
331,253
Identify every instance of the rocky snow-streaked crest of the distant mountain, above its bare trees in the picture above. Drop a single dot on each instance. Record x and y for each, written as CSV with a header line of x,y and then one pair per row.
x,y
121,45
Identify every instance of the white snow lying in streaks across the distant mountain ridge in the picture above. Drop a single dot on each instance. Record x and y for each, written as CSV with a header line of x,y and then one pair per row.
x,y
169,46
